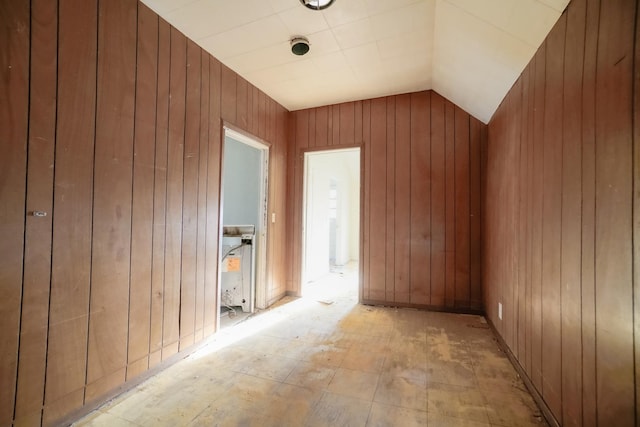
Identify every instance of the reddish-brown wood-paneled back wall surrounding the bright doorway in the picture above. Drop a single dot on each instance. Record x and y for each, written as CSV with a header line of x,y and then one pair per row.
x,y
421,170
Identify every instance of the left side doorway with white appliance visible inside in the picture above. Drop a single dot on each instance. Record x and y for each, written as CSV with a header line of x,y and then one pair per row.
x,y
243,213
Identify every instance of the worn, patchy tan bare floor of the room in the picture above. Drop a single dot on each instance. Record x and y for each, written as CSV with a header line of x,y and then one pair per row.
x,y
324,360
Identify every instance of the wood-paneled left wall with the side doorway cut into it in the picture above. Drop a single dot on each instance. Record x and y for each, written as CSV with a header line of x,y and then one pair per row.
x,y
111,122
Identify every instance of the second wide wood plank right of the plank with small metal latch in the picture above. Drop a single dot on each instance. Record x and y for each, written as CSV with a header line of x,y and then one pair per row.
x,y
112,180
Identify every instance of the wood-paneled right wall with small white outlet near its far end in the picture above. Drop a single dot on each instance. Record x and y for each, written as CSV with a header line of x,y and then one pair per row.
x,y
560,222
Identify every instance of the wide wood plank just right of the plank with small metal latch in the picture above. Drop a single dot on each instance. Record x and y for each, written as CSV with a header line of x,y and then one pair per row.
x,y
72,207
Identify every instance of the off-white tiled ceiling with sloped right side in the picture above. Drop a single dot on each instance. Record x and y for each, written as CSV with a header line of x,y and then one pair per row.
x,y
469,51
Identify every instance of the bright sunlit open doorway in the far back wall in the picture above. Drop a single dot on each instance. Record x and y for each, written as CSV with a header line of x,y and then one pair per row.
x,y
331,223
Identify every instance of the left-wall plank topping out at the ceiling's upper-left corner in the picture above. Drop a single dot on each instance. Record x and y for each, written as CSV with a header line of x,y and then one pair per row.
x,y
143,191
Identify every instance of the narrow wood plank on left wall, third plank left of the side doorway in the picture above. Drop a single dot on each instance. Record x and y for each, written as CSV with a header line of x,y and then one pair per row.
x,y
191,163
